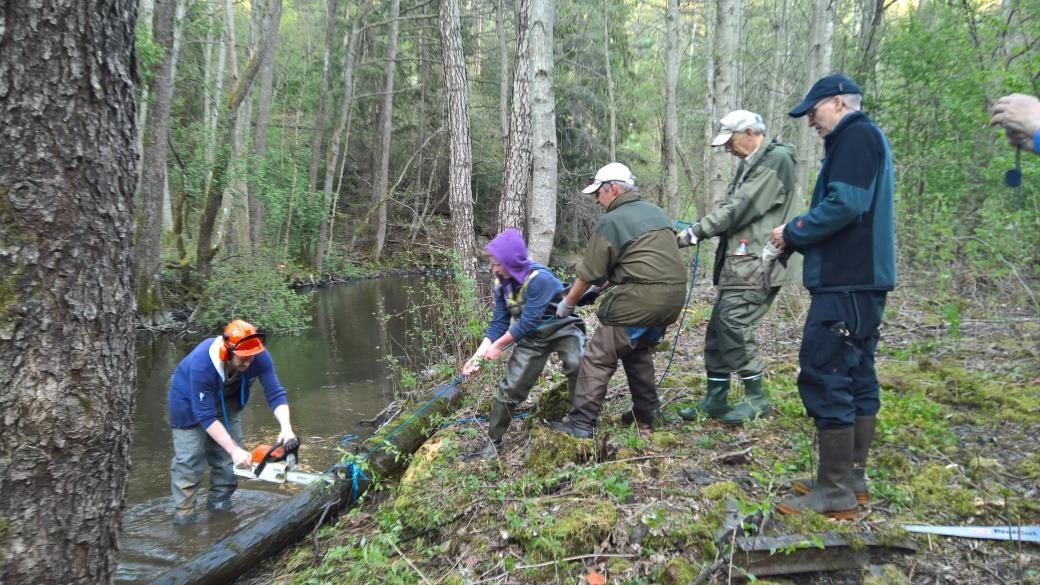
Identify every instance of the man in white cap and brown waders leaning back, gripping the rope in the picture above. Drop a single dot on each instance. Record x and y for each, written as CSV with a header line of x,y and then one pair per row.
x,y
635,257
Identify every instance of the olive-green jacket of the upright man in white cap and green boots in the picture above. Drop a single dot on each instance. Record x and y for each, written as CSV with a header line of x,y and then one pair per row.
x,y
761,197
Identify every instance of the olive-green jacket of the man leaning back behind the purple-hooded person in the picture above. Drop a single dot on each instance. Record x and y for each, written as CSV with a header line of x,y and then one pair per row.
x,y
634,247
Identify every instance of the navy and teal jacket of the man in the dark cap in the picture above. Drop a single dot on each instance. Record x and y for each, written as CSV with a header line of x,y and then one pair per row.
x,y
848,238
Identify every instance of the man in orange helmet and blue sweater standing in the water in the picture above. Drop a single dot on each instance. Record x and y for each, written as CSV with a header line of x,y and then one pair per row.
x,y
207,393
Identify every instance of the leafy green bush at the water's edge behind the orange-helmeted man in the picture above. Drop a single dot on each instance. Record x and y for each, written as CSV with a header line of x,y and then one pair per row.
x,y
256,292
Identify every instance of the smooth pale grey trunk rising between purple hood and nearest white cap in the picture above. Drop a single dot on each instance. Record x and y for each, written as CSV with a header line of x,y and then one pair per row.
x,y
542,211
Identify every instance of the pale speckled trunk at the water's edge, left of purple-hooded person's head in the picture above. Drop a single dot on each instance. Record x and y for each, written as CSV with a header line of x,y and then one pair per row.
x,y
461,166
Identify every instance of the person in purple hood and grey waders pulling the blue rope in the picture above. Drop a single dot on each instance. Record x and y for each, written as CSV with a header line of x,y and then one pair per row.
x,y
526,307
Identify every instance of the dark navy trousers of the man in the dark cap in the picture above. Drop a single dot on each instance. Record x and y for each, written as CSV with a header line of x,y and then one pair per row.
x,y
838,381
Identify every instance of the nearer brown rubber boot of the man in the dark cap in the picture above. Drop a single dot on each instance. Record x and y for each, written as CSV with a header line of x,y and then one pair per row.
x,y
833,496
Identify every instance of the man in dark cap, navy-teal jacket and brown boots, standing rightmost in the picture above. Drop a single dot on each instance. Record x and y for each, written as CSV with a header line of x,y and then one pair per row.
x,y
848,240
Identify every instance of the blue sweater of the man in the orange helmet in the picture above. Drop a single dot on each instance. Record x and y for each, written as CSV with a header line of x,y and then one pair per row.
x,y
196,387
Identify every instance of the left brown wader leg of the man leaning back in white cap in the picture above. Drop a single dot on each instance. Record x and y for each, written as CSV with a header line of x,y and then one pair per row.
x,y
599,366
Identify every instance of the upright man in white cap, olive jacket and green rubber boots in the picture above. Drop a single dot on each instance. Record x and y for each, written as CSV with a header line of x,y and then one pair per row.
x,y
761,197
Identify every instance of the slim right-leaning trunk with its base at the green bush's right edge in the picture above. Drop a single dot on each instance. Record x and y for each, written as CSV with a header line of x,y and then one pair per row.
x,y
342,135
